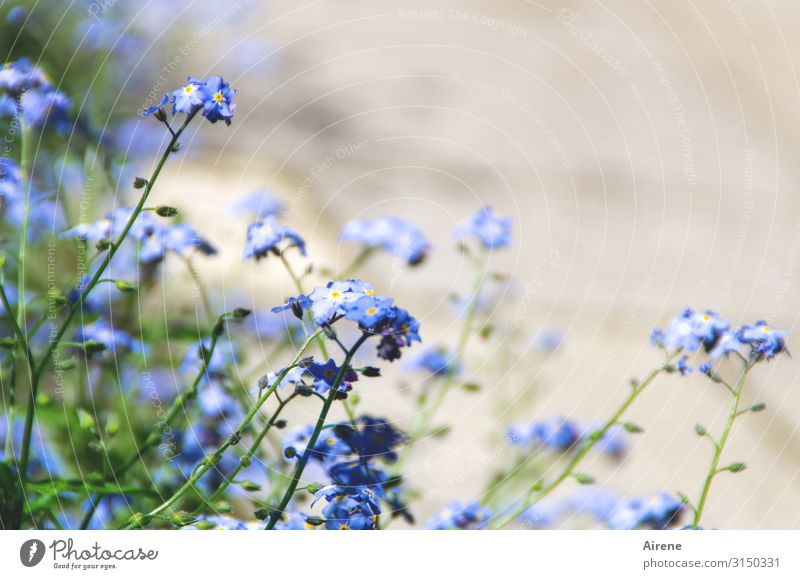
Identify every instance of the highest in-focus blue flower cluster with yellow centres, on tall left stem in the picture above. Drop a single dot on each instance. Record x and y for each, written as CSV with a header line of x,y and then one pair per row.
x,y
213,96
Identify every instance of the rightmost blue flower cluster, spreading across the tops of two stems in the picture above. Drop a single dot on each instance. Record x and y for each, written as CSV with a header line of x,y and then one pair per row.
x,y
691,331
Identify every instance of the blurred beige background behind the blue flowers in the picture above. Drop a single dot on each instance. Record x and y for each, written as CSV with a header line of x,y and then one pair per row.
x,y
651,147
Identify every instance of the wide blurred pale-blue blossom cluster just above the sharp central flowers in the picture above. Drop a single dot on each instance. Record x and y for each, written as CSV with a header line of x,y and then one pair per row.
x,y
397,236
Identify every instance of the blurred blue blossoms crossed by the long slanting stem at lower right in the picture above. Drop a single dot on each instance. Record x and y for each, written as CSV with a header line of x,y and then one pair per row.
x,y
562,435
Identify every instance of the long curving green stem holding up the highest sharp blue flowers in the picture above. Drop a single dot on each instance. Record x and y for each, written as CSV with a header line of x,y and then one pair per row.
x,y
112,250
